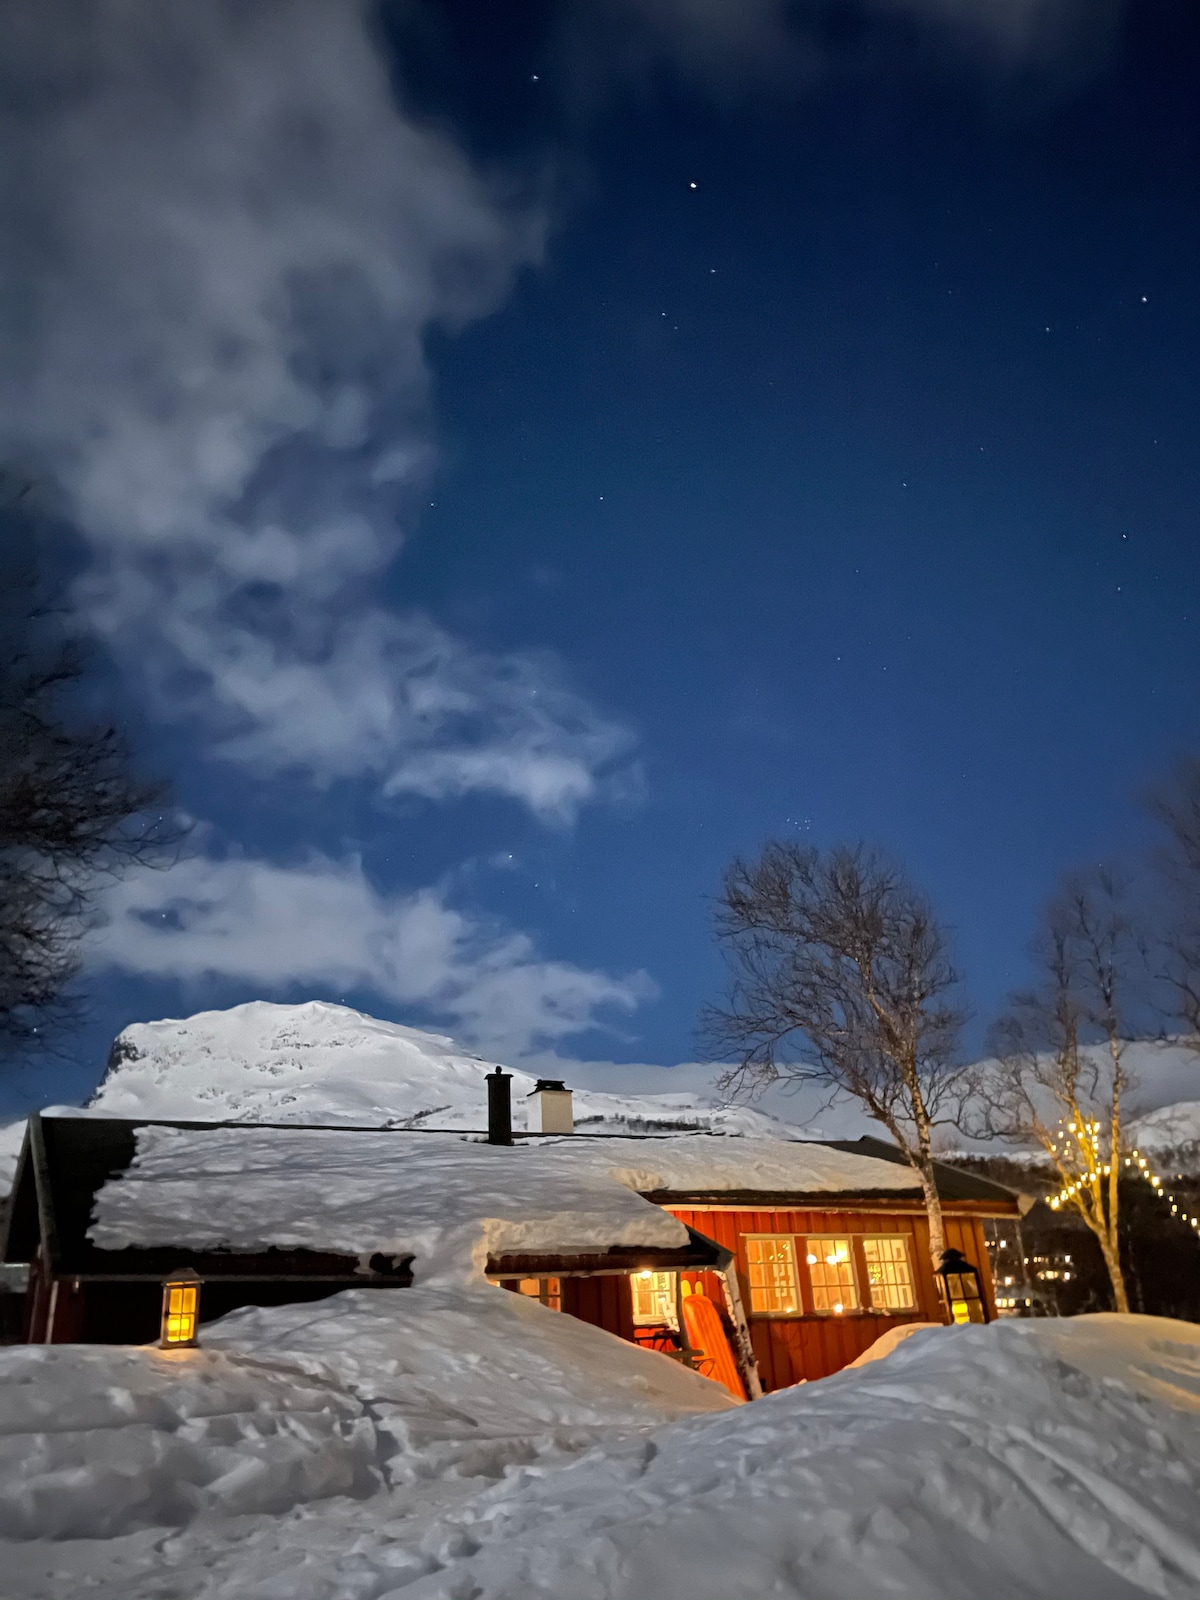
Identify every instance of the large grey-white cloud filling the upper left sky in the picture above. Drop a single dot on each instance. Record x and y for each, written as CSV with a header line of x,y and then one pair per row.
x,y
228,249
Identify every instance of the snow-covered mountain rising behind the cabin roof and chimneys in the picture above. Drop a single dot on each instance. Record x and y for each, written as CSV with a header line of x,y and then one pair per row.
x,y
329,1065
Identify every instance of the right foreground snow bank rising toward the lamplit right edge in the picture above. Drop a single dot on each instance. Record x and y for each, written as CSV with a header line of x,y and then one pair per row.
x,y
1022,1460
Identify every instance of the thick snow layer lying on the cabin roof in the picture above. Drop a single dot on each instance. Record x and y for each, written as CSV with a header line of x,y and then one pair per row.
x,y
441,1198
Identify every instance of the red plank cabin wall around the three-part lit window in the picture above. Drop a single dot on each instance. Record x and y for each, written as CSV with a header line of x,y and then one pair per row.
x,y
809,1346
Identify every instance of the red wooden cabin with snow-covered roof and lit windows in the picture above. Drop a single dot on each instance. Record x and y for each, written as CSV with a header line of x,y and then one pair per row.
x,y
802,1279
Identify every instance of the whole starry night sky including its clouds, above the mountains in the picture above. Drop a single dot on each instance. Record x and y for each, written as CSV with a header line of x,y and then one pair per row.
x,y
807,452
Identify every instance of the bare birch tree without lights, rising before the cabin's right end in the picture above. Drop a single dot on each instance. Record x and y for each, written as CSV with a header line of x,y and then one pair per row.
x,y
842,978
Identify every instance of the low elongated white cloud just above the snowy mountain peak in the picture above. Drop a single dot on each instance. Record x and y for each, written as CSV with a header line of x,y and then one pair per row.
x,y
324,924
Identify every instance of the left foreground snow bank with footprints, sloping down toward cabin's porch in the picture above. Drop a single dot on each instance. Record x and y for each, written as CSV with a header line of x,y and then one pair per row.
x,y
297,1434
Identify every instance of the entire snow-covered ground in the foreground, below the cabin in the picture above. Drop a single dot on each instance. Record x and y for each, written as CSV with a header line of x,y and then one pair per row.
x,y
473,1446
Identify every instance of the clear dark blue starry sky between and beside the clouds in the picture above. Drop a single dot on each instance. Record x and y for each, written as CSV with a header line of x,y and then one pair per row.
x,y
858,482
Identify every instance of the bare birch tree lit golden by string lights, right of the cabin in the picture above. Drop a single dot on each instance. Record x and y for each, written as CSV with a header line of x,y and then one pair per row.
x,y
1060,1076
